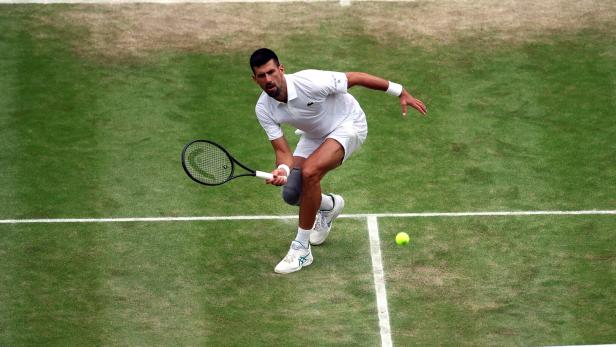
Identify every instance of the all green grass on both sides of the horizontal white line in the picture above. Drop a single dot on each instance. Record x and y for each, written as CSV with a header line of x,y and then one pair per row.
x,y
511,126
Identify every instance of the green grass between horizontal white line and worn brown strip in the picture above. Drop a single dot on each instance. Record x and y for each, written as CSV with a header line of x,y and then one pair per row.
x,y
502,131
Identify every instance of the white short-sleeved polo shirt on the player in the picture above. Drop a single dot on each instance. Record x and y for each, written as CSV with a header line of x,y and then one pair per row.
x,y
317,103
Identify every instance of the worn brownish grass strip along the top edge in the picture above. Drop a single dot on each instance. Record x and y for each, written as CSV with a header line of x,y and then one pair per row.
x,y
135,30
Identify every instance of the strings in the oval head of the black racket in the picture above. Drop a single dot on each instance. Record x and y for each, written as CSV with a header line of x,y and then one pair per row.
x,y
208,163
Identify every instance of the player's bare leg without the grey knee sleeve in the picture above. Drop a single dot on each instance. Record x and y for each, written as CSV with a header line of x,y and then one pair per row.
x,y
326,158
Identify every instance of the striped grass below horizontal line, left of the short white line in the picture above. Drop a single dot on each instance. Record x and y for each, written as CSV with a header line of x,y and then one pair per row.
x,y
183,283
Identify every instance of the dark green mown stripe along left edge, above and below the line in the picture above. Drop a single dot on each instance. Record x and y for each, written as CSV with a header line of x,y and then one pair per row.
x,y
48,129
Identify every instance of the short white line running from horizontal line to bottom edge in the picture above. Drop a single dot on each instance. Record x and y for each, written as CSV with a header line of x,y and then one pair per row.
x,y
379,281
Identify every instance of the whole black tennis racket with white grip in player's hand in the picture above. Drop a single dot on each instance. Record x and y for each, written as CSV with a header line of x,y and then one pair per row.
x,y
209,163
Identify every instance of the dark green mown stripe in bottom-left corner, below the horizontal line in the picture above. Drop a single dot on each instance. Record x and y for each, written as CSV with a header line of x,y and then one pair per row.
x,y
52,287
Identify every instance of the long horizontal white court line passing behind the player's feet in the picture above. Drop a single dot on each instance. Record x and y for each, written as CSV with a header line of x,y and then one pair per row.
x,y
359,215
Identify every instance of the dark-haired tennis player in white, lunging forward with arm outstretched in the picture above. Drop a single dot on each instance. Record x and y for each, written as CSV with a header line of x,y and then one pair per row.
x,y
332,126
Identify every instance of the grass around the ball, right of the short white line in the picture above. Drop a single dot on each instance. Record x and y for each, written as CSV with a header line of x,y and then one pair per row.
x,y
524,281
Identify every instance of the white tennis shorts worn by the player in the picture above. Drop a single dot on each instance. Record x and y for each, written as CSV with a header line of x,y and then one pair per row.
x,y
351,134
